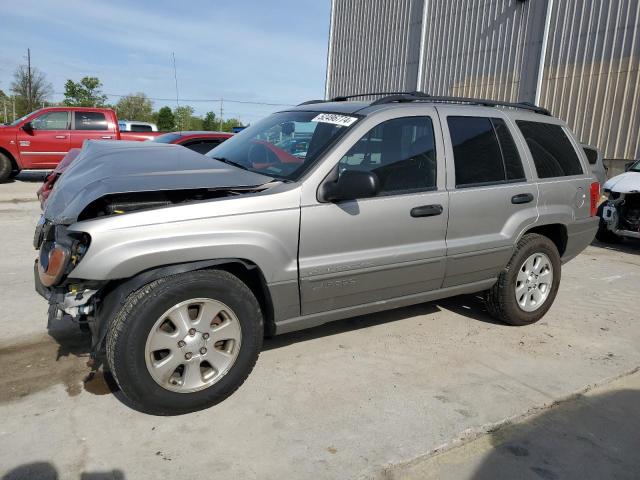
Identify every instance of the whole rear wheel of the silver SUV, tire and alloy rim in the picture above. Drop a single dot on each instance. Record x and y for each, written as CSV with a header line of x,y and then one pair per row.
x,y
528,285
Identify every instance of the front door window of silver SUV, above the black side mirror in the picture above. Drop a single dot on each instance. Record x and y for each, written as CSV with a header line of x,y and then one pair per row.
x,y
401,152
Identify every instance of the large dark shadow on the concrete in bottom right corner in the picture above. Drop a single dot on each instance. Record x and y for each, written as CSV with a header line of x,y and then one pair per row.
x,y
589,437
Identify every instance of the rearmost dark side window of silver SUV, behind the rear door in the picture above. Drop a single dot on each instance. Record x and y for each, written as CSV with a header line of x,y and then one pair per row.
x,y
552,152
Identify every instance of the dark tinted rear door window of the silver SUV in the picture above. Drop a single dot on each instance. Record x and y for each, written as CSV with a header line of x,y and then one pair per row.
x,y
483,151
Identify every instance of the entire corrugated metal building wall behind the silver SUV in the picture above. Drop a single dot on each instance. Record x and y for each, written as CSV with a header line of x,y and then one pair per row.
x,y
578,58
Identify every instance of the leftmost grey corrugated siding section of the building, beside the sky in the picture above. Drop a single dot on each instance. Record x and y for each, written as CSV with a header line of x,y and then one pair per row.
x,y
375,46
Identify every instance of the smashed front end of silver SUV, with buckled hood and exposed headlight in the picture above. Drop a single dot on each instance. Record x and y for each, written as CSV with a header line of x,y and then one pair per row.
x,y
113,179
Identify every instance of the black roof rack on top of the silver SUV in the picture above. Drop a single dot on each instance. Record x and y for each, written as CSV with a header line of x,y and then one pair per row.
x,y
399,97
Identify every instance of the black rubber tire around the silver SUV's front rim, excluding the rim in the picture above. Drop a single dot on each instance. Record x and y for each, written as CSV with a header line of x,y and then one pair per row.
x,y
127,335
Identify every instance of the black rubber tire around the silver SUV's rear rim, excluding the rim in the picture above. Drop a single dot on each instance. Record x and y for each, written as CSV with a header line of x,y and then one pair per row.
x,y
501,300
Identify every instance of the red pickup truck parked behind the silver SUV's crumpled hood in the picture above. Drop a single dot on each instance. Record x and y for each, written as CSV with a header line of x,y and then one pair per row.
x,y
42,138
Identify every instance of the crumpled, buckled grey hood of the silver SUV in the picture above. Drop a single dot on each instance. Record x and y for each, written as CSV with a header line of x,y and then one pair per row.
x,y
108,167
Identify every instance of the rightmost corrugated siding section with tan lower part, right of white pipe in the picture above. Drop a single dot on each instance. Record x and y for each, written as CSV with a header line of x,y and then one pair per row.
x,y
592,73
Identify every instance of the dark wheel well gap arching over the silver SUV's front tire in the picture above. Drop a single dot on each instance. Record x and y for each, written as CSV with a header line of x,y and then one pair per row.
x,y
115,293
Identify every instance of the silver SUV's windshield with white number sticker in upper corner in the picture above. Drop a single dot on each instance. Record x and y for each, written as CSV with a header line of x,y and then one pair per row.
x,y
284,145
